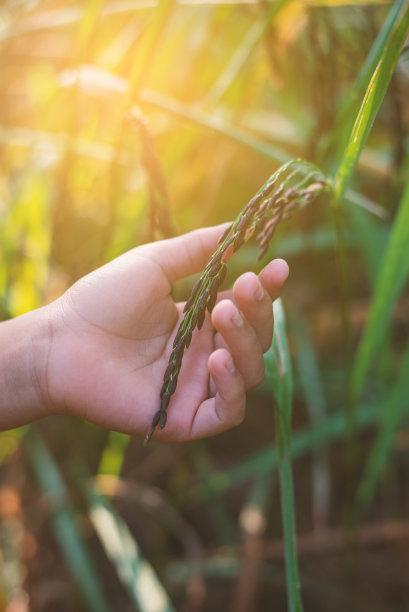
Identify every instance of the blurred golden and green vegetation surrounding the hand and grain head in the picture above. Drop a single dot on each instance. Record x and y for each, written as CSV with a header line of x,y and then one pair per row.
x,y
127,120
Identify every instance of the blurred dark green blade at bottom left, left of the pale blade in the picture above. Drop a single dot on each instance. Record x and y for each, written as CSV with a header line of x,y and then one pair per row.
x,y
64,523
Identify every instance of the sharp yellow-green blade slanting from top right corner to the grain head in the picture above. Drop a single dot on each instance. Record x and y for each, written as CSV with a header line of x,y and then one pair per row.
x,y
372,100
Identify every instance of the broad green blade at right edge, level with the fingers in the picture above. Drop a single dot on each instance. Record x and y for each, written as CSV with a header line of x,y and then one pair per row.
x,y
389,284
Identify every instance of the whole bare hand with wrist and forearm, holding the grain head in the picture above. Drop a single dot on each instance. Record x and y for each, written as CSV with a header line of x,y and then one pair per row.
x,y
100,350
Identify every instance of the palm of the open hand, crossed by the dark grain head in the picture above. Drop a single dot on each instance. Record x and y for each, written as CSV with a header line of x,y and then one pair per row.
x,y
121,324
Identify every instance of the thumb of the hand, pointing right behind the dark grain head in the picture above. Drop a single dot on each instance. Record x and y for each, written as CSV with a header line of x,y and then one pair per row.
x,y
186,254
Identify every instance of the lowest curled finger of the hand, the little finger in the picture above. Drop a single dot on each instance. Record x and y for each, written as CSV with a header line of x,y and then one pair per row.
x,y
227,409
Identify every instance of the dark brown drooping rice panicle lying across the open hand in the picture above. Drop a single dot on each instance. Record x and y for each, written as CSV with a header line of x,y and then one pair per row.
x,y
292,186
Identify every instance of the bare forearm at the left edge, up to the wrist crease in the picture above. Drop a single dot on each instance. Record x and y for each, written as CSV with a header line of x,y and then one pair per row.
x,y
23,354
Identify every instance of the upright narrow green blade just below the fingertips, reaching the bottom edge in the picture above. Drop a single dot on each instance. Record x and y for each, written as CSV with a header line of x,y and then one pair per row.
x,y
282,383
